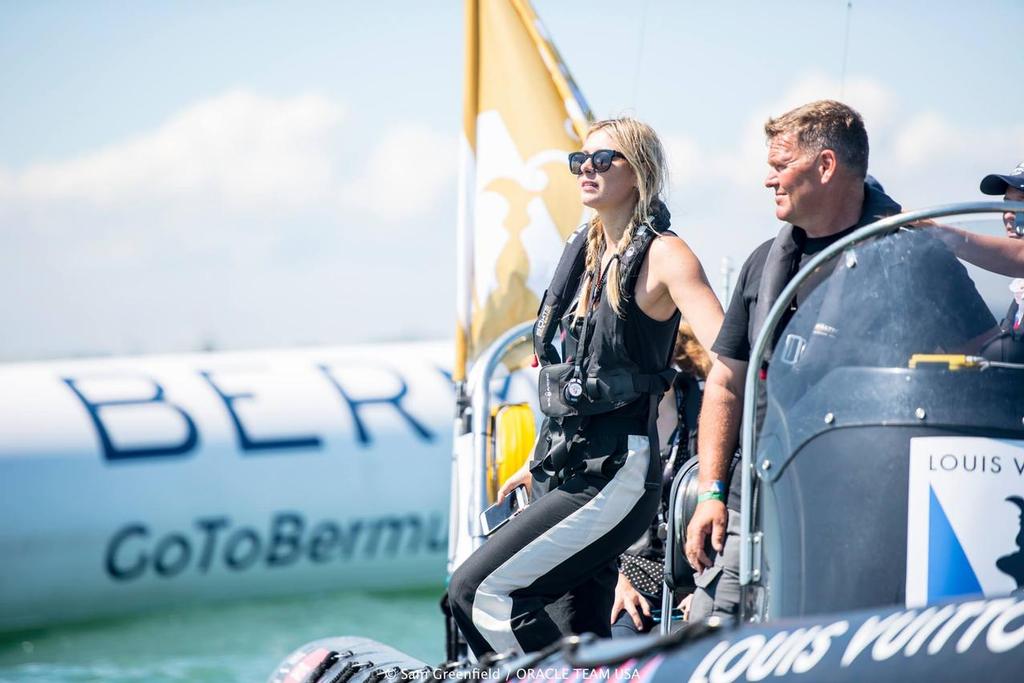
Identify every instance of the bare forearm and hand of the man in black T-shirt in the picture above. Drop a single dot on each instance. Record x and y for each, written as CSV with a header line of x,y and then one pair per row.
x,y
721,414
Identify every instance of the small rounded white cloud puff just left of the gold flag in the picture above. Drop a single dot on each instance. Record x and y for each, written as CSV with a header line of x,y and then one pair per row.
x,y
409,170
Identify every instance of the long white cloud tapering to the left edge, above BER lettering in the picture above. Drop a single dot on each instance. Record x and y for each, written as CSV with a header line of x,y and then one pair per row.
x,y
238,150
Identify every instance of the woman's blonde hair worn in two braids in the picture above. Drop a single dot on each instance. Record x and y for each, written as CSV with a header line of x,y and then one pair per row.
x,y
644,151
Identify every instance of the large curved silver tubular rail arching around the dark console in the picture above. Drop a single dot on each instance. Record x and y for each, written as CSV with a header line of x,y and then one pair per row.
x,y
767,331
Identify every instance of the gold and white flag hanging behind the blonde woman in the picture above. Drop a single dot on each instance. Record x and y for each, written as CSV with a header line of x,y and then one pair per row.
x,y
523,115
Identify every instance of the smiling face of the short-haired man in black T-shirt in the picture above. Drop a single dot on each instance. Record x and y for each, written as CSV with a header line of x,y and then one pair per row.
x,y
794,179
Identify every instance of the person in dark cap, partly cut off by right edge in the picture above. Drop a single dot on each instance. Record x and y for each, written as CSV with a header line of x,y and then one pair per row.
x,y
1009,347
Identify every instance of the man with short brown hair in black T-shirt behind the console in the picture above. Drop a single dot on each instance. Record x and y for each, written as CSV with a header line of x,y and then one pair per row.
x,y
818,159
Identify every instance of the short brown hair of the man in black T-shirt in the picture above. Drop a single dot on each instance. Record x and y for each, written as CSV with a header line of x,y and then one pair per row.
x,y
826,124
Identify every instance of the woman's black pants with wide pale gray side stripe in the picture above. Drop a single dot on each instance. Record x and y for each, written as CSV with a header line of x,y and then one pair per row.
x,y
501,593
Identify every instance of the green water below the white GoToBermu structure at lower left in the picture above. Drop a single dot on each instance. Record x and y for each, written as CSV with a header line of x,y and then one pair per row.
x,y
239,643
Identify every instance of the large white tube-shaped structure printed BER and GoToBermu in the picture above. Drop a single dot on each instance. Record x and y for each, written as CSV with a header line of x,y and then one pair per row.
x,y
138,483
